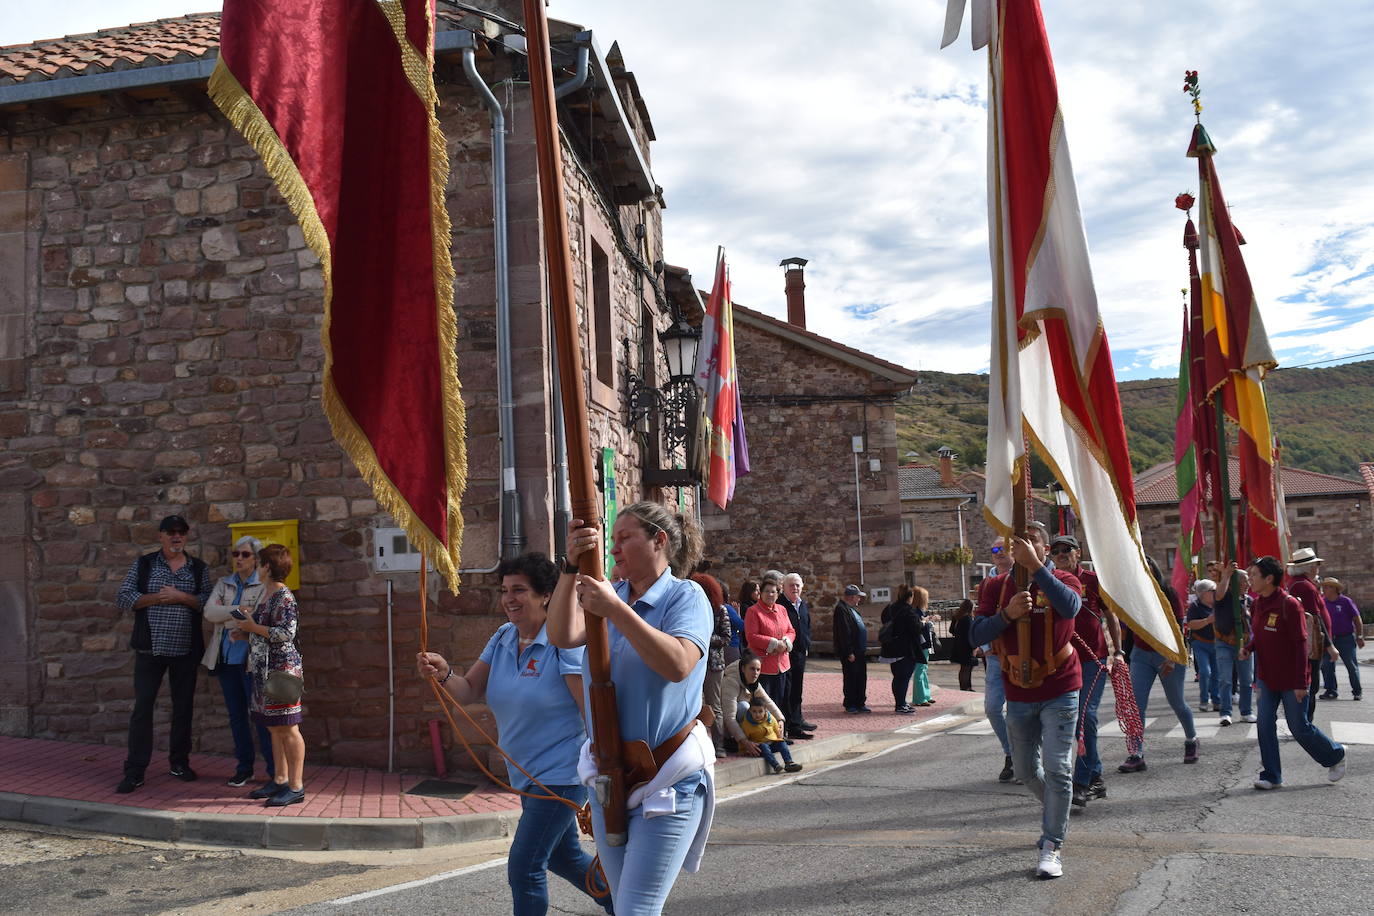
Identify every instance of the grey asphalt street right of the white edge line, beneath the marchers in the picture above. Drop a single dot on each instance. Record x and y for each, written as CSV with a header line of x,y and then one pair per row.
x,y
927,826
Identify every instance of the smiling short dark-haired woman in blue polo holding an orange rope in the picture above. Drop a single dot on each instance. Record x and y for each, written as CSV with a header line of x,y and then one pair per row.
x,y
535,691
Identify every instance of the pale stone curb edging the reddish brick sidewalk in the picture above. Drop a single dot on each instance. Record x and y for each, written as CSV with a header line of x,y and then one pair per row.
x,y
286,833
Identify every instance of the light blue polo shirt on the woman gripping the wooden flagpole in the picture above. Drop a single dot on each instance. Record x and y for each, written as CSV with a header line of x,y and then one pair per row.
x,y
652,708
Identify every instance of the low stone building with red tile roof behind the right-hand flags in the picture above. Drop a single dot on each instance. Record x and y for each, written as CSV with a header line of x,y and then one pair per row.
x,y
1329,514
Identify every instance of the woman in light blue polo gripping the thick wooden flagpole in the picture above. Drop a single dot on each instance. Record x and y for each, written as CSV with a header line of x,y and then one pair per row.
x,y
659,628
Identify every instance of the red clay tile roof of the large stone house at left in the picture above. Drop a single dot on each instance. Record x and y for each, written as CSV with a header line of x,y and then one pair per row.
x,y
142,45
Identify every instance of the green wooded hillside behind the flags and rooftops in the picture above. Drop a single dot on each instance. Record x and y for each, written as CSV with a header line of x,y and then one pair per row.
x,y
1324,418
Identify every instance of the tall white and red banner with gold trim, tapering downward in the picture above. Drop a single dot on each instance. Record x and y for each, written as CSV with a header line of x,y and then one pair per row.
x,y
1052,378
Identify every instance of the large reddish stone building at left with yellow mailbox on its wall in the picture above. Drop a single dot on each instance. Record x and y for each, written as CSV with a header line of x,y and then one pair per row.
x,y
160,352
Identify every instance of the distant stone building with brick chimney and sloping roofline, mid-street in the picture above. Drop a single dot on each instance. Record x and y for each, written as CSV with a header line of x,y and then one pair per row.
x,y
822,432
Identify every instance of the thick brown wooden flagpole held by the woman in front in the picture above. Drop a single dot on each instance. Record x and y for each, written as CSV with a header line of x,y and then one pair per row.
x,y
607,742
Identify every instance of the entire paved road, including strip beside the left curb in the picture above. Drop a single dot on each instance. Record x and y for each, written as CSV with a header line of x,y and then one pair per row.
x,y
923,826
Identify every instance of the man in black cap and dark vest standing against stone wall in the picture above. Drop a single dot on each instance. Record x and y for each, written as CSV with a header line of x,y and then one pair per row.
x,y
166,590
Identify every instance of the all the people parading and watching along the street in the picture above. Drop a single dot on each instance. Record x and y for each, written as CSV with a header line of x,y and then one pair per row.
x,y
700,678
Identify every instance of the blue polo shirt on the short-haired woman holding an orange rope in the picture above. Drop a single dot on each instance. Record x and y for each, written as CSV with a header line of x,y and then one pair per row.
x,y
539,722
